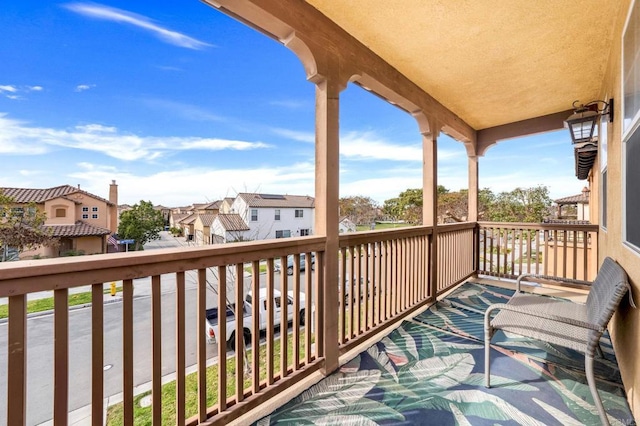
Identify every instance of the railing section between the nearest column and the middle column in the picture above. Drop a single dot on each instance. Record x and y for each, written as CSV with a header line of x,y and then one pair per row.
x,y
382,275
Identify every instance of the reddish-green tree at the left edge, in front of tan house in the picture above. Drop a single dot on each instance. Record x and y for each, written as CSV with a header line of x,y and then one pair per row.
x,y
21,228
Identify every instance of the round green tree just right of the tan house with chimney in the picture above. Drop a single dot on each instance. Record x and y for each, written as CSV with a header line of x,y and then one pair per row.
x,y
142,223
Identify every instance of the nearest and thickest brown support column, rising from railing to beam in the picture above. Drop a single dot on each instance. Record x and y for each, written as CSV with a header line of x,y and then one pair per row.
x,y
326,212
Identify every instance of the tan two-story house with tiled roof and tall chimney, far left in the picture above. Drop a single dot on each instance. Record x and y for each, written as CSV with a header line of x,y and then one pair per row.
x,y
80,220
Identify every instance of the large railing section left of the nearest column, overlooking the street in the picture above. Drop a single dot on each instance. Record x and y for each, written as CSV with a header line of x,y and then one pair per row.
x,y
248,377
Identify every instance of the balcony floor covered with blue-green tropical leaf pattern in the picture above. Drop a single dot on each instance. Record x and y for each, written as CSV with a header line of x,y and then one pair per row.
x,y
430,370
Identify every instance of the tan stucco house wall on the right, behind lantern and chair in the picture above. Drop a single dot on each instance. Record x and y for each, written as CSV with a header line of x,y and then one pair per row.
x,y
625,327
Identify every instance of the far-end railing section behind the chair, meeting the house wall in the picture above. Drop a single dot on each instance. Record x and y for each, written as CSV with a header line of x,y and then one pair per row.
x,y
565,251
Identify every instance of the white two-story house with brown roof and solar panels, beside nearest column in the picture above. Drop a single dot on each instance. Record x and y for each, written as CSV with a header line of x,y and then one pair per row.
x,y
274,215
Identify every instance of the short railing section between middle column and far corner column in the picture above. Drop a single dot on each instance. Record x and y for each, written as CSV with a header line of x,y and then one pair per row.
x,y
455,255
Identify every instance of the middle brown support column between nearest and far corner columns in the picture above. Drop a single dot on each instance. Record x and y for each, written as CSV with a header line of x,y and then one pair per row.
x,y
430,201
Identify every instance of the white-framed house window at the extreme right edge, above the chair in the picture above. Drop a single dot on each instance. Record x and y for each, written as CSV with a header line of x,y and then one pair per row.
x,y
630,125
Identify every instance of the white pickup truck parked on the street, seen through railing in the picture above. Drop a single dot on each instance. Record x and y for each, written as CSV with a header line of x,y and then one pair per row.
x,y
212,315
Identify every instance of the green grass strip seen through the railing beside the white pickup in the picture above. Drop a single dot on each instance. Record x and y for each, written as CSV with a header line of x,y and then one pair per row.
x,y
142,415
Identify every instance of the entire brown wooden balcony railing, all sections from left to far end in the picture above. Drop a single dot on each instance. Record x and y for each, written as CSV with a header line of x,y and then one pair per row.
x,y
114,355
